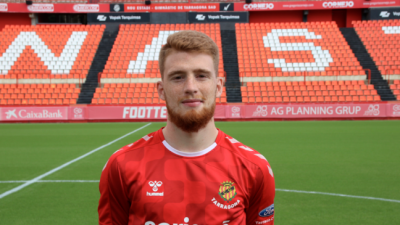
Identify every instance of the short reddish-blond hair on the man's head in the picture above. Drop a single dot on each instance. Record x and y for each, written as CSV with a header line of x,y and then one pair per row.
x,y
189,41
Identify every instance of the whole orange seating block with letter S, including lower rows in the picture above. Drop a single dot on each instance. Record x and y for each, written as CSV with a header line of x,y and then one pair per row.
x,y
299,62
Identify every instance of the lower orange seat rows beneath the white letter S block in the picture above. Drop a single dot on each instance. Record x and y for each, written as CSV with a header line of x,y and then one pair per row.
x,y
308,91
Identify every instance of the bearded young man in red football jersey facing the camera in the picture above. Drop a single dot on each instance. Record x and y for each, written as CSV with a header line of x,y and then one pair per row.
x,y
188,172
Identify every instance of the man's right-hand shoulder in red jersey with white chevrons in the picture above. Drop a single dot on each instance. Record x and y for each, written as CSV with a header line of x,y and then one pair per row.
x,y
243,151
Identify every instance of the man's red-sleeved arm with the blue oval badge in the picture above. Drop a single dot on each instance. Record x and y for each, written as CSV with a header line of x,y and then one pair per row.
x,y
261,207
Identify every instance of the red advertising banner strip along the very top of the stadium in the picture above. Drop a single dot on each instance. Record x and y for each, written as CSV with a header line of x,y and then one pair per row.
x,y
188,7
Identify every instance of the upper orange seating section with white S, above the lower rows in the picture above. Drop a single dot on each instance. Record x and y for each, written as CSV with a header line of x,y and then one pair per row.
x,y
313,51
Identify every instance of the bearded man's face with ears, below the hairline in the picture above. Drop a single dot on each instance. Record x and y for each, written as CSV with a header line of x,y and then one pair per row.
x,y
189,87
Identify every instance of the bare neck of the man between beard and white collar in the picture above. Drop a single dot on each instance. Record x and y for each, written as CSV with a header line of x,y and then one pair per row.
x,y
190,142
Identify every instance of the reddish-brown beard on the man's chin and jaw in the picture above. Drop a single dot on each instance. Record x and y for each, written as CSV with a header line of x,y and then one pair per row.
x,y
191,121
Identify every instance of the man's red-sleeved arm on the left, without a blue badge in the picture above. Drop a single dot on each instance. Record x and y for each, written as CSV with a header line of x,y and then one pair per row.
x,y
114,204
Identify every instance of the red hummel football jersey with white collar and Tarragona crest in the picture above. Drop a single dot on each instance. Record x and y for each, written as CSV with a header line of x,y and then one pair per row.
x,y
149,182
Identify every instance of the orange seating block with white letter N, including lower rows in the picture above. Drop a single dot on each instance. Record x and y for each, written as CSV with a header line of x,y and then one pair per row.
x,y
44,64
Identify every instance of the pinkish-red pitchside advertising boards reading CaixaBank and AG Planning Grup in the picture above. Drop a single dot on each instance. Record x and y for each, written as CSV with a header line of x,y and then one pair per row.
x,y
366,110
